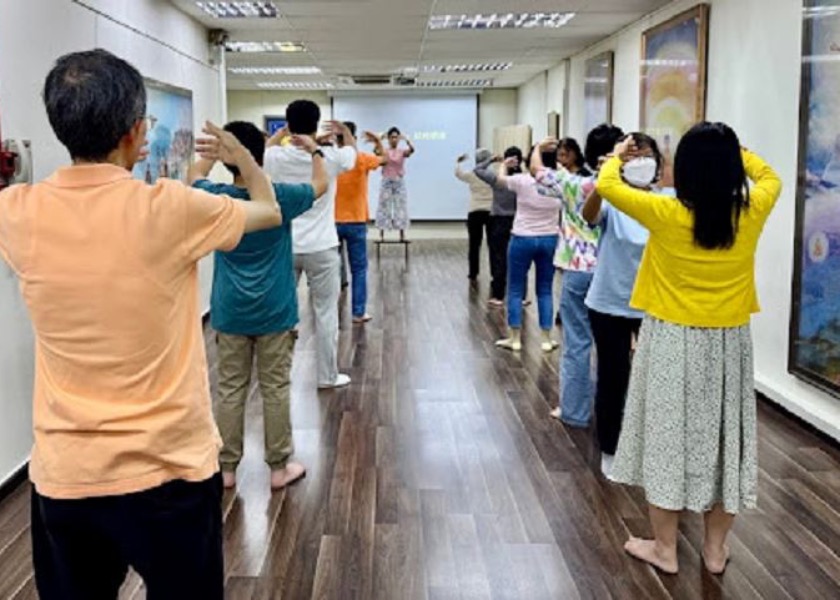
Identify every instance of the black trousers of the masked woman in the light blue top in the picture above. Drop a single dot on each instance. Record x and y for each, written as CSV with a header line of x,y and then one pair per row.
x,y
613,343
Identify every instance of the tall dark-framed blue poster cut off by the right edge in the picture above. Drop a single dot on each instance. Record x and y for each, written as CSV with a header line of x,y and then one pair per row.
x,y
814,352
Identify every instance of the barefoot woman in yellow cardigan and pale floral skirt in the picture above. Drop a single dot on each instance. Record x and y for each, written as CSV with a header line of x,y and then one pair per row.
x,y
689,431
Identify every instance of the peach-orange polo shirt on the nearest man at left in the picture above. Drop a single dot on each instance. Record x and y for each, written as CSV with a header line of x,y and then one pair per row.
x,y
108,270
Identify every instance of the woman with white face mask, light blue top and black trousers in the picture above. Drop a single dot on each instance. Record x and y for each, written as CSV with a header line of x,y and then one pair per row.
x,y
614,323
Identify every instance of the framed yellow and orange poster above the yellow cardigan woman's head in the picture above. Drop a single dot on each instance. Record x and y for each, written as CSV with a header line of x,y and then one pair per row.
x,y
674,80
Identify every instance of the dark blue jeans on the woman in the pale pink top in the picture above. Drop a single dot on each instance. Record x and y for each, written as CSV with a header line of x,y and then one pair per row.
x,y
522,252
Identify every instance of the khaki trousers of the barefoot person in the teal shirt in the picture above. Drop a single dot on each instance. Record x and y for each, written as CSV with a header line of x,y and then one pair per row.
x,y
274,365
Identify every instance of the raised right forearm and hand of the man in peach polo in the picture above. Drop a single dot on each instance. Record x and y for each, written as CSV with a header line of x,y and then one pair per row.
x,y
263,211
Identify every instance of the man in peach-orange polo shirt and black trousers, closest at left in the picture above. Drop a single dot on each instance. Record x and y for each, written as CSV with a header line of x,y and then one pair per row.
x,y
126,457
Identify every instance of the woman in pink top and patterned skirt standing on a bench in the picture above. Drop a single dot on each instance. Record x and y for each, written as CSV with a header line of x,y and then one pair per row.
x,y
392,213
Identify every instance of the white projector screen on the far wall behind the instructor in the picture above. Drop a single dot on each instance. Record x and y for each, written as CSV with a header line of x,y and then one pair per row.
x,y
440,127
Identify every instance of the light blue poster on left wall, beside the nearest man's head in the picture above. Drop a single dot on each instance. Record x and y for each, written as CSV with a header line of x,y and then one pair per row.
x,y
170,136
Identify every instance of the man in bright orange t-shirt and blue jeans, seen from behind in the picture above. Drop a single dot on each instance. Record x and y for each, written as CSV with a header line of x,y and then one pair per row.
x,y
351,219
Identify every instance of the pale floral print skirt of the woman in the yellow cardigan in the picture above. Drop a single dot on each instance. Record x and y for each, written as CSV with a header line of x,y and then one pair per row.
x,y
689,432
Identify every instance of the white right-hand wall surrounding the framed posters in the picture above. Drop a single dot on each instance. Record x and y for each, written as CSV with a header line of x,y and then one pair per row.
x,y
754,78
